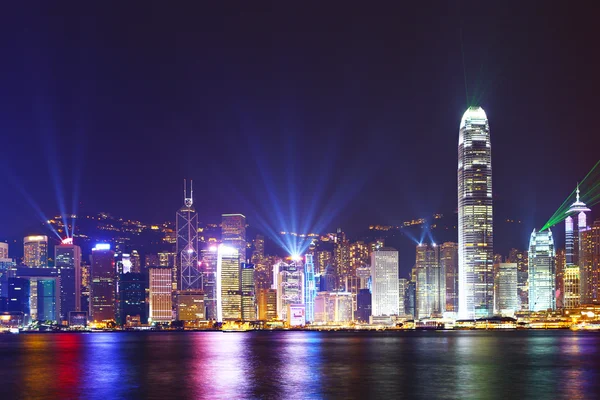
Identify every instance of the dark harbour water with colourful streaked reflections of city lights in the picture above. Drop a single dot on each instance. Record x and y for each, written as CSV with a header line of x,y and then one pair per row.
x,y
453,364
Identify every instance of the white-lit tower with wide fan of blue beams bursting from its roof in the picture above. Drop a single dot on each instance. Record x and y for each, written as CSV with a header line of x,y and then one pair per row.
x,y
289,283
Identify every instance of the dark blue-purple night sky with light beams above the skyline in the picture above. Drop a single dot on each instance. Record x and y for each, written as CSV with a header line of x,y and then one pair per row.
x,y
302,119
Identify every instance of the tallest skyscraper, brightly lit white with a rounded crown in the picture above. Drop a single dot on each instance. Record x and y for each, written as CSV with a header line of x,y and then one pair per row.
x,y
475,225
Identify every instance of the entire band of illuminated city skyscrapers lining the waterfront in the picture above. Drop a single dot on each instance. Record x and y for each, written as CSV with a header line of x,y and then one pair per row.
x,y
206,282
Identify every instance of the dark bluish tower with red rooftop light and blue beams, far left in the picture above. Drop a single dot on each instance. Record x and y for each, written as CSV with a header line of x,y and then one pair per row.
x,y
67,260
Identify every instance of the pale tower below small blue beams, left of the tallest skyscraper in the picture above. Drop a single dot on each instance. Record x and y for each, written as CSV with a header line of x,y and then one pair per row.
x,y
431,282
